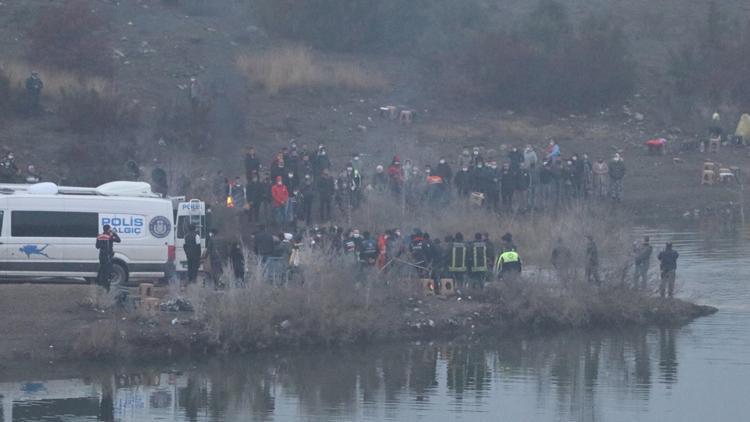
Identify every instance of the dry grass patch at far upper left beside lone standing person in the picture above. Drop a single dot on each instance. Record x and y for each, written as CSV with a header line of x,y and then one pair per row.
x,y
55,81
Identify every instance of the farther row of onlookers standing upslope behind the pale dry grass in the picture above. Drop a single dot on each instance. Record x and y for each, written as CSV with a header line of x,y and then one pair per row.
x,y
301,185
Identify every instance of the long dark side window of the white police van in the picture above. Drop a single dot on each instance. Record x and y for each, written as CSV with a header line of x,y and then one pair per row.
x,y
54,224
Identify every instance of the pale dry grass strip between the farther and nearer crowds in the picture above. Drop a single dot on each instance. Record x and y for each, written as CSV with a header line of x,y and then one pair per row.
x,y
535,235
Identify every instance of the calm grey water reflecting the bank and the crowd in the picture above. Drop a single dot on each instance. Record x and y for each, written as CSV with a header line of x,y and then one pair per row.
x,y
700,372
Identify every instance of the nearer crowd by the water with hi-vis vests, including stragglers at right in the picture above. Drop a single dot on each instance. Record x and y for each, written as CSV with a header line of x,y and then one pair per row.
x,y
467,261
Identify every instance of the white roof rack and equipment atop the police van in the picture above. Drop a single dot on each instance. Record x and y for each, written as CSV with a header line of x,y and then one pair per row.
x,y
117,188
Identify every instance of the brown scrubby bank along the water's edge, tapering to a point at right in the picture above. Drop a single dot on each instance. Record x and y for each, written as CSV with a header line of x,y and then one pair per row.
x,y
46,323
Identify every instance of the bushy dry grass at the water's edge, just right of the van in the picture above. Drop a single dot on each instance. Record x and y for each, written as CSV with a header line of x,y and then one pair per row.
x,y
333,306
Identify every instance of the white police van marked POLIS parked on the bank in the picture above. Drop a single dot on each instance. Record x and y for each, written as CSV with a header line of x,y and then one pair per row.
x,y
50,231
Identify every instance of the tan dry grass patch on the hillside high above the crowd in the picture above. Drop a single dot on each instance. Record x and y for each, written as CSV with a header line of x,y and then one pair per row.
x,y
296,67
